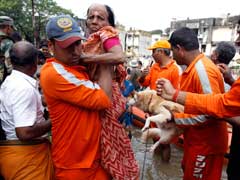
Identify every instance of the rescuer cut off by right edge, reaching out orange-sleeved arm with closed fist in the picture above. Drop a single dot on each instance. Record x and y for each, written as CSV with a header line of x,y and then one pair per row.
x,y
218,105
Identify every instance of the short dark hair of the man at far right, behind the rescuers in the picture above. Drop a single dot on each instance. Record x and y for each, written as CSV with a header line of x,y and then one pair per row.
x,y
225,52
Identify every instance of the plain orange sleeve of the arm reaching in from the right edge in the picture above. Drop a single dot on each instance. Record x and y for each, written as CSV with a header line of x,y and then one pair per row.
x,y
220,105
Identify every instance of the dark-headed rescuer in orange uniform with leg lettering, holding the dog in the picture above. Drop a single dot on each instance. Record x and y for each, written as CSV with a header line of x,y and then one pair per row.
x,y
202,150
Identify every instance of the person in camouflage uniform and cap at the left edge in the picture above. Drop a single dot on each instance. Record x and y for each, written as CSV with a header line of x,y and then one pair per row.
x,y
6,28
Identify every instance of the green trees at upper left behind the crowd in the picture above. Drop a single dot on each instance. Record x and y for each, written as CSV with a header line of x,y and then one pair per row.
x,y
21,12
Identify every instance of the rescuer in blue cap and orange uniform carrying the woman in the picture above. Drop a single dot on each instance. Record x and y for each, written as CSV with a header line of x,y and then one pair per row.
x,y
74,103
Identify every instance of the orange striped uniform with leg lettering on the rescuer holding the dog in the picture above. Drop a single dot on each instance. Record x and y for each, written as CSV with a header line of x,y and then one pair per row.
x,y
202,149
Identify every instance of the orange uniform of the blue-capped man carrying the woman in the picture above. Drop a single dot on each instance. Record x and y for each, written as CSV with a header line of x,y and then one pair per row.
x,y
74,103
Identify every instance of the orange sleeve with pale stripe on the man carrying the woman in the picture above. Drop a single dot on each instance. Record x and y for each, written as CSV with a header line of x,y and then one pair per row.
x,y
73,87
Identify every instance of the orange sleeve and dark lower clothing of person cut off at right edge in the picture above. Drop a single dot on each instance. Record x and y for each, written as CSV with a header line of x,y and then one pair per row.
x,y
221,105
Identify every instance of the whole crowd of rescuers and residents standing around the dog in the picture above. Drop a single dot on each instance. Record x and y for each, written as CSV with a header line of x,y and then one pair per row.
x,y
60,104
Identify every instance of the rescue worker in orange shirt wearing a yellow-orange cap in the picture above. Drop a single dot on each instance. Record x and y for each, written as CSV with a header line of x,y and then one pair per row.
x,y
166,67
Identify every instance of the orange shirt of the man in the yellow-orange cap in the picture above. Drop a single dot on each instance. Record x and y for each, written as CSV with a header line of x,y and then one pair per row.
x,y
171,72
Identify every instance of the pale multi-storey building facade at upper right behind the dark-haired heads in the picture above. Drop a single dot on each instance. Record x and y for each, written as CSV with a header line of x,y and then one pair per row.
x,y
210,31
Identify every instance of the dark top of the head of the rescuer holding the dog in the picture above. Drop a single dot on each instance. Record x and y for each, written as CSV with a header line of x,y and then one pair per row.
x,y
184,37
